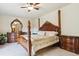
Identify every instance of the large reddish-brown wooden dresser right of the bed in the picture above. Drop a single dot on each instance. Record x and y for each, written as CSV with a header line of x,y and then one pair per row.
x,y
70,43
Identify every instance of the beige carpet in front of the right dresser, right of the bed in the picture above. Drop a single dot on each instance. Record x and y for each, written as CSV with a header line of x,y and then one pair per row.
x,y
55,51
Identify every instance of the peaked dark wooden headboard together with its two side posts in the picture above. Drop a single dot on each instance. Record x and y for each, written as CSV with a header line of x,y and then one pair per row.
x,y
47,26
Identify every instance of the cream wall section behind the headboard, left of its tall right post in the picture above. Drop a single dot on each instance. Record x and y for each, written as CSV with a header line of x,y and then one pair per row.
x,y
51,17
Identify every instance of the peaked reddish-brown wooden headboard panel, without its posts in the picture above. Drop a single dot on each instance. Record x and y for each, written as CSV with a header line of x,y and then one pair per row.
x,y
48,26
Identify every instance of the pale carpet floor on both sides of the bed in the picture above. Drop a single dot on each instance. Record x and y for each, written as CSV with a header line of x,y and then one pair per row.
x,y
14,49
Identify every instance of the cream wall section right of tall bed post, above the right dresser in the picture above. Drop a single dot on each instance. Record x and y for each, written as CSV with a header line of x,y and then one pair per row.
x,y
70,20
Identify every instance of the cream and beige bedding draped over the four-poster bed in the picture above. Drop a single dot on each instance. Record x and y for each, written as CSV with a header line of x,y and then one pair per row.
x,y
39,42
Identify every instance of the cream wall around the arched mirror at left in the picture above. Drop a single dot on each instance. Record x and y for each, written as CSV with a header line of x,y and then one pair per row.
x,y
5,22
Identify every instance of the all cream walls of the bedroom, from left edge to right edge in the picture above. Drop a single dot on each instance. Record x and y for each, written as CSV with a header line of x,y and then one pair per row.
x,y
69,20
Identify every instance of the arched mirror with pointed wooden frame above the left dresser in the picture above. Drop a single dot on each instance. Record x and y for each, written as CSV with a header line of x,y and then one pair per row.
x,y
16,26
